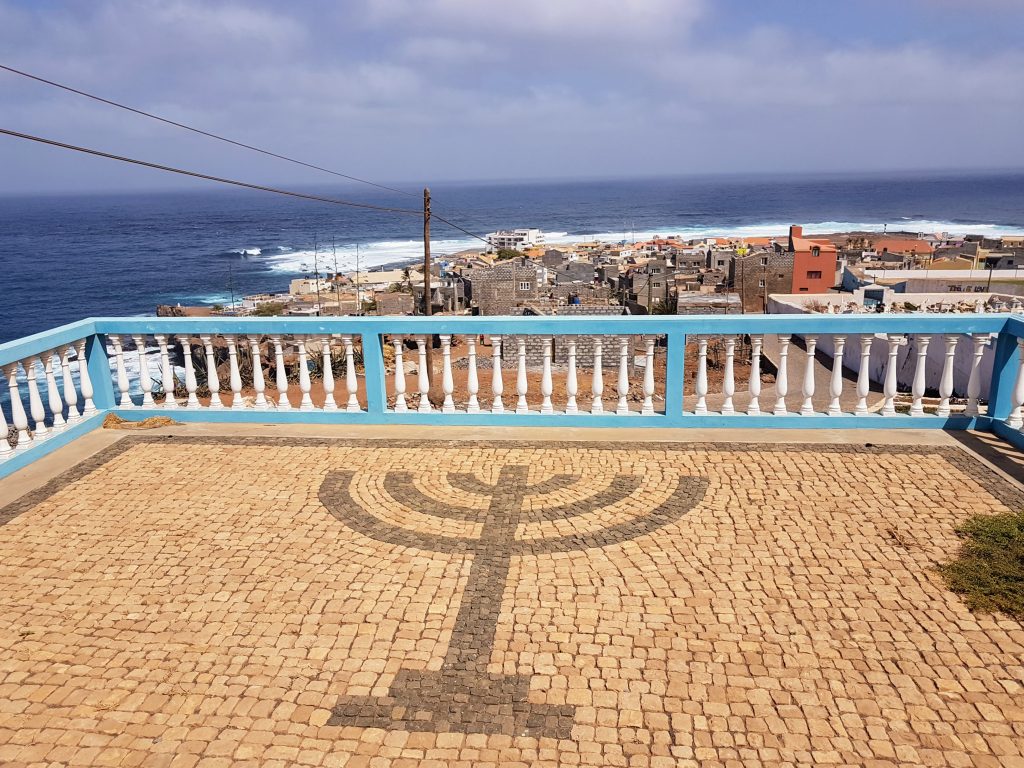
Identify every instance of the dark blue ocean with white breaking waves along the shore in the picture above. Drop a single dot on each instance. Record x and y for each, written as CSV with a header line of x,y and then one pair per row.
x,y
64,259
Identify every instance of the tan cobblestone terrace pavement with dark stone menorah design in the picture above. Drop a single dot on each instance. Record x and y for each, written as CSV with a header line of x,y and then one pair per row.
x,y
201,602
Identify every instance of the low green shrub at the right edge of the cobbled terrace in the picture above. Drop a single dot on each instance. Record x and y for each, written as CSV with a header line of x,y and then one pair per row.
x,y
989,571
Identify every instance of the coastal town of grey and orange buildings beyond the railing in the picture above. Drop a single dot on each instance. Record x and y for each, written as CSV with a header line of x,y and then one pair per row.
x,y
520,274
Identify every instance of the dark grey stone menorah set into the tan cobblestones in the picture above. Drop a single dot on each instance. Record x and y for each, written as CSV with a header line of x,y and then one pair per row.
x,y
463,696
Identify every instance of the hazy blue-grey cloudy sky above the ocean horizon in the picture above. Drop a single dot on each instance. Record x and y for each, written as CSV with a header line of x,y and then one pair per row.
x,y
421,92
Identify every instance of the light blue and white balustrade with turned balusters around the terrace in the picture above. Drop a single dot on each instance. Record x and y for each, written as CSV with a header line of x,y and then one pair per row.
x,y
50,391
